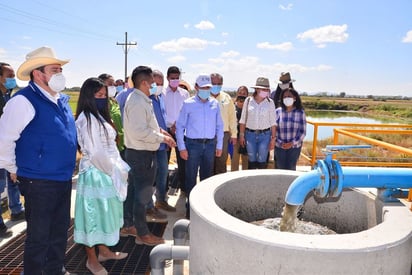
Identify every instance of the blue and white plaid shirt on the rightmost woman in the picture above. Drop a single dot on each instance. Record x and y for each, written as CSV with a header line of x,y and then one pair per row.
x,y
291,126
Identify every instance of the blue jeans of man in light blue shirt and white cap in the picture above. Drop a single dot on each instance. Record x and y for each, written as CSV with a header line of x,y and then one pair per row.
x,y
201,159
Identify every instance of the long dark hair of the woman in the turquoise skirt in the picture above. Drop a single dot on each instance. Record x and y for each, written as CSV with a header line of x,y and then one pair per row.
x,y
87,103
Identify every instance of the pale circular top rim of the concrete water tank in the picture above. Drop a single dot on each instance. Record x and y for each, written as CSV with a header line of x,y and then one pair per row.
x,y
202,202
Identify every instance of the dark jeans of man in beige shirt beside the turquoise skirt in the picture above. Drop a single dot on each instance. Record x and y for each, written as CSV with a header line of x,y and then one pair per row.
x,y
143,166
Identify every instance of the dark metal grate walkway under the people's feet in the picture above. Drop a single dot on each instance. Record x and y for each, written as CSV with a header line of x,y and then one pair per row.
x,y
137,262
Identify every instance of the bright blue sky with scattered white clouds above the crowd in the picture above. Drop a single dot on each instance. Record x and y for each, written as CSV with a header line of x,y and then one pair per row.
x,y
357,47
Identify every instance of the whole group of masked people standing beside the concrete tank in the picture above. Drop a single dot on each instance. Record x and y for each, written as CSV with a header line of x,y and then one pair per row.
x,y
125,137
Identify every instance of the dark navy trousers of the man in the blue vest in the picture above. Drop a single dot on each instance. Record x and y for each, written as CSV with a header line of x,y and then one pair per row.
x,y
47,204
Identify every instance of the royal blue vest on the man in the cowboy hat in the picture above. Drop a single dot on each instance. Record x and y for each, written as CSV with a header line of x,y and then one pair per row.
x,y
47,146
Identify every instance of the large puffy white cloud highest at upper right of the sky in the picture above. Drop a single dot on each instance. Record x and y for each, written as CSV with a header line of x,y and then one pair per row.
x,y
326,34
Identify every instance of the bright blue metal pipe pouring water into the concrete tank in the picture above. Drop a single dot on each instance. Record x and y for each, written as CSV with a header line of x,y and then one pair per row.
x,y
320,180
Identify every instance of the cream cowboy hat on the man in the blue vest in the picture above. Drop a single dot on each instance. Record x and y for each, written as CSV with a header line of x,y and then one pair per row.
x,y
40,57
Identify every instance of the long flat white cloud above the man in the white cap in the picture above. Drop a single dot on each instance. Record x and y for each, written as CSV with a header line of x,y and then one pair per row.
x,y
184,44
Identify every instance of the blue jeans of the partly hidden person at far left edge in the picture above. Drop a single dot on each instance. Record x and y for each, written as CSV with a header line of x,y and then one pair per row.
x,y
13,193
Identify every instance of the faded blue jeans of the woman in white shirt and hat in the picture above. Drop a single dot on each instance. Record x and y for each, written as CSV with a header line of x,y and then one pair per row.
x,y
257,145
